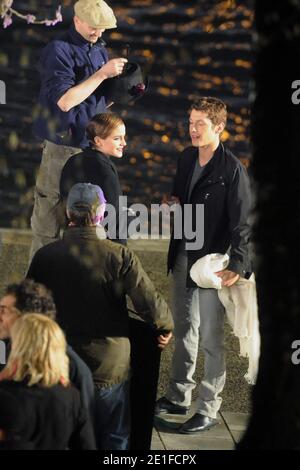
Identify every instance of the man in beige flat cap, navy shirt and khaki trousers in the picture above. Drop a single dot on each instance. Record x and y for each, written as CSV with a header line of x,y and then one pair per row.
x,y
71,69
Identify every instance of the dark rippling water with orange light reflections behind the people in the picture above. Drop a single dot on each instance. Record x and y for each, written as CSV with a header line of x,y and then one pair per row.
x,y
188,49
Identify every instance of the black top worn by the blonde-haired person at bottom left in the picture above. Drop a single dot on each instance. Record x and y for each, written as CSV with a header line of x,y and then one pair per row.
x,y
54,416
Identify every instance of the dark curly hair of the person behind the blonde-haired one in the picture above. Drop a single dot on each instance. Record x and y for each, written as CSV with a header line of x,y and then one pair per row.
x,y
32,297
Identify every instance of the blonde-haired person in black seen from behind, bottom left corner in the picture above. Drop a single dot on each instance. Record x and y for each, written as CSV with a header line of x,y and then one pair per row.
x,y
37,374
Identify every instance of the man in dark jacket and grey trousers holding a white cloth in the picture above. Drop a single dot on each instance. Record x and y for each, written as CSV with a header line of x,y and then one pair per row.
x,y
207,174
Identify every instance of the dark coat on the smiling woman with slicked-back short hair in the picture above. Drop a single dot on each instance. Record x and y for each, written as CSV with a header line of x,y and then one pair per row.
x,y
92,166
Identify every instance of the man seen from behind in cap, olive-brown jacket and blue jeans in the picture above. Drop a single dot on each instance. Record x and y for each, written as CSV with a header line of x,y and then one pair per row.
x,y
90,277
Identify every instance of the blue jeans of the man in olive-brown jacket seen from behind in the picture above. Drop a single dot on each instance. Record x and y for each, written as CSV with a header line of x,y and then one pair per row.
x,y
112,417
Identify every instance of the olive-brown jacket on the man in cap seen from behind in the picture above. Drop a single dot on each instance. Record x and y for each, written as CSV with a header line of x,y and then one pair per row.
x,y
90,279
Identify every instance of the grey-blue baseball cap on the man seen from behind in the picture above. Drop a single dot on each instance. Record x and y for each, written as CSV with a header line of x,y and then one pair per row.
x,y
87,198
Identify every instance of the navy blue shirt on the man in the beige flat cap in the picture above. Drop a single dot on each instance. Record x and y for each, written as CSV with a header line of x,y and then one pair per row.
x,y
64,63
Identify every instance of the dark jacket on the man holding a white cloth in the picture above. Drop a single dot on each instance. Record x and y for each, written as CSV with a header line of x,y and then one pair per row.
x,y
224,190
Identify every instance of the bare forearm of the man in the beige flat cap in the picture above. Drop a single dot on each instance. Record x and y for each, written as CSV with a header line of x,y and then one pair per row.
x,y
78,93
